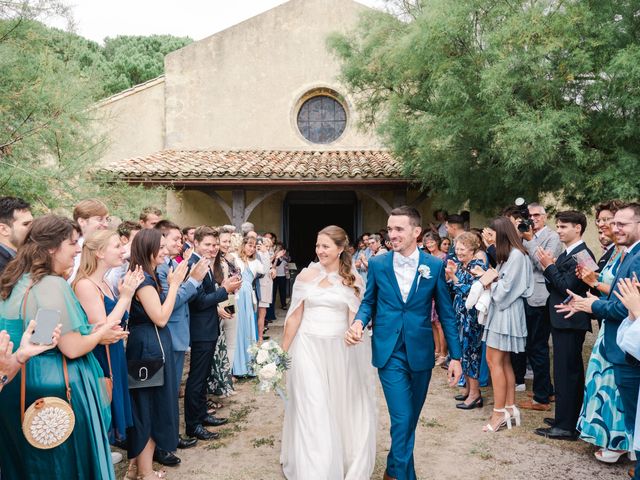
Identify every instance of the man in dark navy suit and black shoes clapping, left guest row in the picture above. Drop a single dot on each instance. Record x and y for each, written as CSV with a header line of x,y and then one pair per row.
x,y
204,331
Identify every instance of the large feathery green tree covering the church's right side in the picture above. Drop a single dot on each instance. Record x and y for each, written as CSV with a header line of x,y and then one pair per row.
x,y
486,100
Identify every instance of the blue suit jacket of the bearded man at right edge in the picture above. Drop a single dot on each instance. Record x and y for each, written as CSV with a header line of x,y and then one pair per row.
x,y
613,311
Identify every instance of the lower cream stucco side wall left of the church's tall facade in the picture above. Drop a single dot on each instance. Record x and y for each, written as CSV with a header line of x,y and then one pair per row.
x,y
132,122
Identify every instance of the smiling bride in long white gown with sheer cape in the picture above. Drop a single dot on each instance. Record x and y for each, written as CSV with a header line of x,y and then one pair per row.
x,y
329,430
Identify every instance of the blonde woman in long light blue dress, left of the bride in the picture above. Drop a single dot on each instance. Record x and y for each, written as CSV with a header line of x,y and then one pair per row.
x,y
246,335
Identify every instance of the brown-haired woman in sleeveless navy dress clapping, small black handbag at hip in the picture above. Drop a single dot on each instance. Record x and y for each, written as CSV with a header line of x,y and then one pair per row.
x,y
155,409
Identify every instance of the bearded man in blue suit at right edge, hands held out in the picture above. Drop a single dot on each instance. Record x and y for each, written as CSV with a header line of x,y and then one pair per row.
x,y
626,228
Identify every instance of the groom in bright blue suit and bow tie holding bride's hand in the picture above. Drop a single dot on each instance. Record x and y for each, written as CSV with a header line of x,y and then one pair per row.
x,y
400,288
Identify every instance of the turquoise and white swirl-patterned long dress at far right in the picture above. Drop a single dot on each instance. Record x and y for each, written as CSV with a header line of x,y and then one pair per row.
x,y
601,420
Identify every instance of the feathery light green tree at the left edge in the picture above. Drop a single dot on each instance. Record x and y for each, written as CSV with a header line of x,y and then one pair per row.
x,y
47,145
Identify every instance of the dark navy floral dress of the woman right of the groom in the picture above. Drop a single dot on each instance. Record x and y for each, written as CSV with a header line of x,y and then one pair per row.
x,y
470,329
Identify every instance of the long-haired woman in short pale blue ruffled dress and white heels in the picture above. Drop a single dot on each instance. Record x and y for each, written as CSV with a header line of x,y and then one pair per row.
x,y
505,330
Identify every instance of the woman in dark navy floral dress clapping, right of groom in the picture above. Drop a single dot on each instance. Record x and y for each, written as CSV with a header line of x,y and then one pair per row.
x,y
460,278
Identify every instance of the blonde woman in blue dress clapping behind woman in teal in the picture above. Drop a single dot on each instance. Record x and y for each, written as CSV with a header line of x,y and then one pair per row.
x,y
102,251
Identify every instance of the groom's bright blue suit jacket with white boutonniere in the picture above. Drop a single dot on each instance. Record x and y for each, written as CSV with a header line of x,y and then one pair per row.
x,y
392,317
